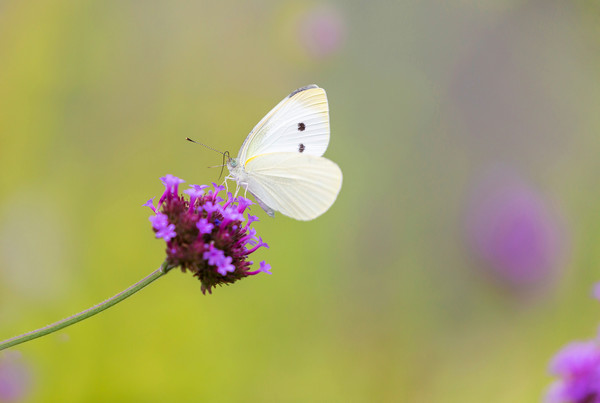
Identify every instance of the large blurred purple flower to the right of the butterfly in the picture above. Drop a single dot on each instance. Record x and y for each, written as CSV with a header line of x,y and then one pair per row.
x,y
510,228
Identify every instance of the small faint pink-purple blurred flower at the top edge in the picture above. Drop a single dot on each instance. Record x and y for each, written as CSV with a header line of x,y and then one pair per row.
x,y
322,31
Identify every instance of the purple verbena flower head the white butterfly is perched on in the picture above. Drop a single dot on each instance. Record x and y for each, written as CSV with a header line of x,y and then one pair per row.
x,y
206,234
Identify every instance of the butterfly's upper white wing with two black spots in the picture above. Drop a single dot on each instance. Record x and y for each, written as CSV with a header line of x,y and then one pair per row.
x,y
299,123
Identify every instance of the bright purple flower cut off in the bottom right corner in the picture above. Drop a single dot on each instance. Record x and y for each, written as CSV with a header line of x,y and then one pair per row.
x,y
578,364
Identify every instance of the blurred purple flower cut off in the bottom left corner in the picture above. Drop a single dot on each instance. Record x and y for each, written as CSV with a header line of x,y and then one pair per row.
x,y
15,377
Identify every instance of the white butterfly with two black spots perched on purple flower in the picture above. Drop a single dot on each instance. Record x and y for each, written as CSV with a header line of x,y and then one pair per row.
x,y
280,162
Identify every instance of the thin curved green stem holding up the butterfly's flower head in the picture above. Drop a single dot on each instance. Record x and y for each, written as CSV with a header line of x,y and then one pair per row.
x,y
34,334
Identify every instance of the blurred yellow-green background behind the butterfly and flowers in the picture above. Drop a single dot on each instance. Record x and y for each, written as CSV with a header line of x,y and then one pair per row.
x,y
405,290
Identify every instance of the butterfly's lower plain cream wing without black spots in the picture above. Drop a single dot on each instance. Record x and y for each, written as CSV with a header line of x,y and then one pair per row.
x,y
298,185
